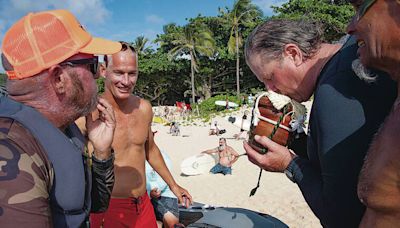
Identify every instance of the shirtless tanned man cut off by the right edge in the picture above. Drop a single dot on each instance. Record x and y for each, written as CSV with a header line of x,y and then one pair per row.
x,y
376,27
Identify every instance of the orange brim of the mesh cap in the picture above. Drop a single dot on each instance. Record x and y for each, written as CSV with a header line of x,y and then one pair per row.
x,y
99,46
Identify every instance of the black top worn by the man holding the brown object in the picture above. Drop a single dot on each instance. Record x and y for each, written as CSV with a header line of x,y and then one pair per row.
x,y
345,115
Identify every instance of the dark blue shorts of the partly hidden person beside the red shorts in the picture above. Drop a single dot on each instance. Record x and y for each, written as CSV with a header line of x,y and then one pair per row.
x,y
164,204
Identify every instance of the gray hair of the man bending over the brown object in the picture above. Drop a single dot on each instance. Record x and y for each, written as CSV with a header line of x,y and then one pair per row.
x,y
270,37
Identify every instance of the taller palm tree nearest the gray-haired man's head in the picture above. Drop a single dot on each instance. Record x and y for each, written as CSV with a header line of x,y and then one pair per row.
x,y
243,13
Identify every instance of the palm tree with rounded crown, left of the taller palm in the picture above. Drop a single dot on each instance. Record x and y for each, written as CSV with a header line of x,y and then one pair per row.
x,y
195,39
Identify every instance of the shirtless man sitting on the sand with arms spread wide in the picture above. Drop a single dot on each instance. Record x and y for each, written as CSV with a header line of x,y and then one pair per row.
x,y
227,156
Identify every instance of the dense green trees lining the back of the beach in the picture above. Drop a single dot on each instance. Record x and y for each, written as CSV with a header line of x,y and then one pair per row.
x,y
165,81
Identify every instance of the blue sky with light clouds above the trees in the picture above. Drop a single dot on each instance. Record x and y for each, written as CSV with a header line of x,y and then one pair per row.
x,y
122,19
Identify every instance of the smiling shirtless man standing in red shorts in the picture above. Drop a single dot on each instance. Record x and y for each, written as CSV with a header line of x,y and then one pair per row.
x,y
133,143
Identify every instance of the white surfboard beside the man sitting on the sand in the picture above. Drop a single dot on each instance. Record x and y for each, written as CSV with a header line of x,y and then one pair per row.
x,y
198,164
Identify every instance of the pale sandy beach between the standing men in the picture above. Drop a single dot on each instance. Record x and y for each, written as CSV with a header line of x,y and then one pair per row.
x,y
276,196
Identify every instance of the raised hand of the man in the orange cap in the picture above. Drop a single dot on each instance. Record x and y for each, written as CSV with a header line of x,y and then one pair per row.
x,y
101,130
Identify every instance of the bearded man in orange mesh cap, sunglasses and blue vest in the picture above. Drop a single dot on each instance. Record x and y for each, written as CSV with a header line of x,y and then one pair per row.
x,y
45,177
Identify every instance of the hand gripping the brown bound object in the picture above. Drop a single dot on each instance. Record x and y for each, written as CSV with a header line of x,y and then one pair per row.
x,y
275,160
